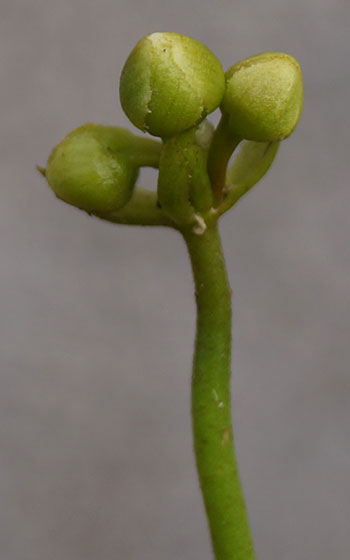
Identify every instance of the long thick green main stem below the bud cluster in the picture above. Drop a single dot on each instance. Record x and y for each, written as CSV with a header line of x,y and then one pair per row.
x,y
211,417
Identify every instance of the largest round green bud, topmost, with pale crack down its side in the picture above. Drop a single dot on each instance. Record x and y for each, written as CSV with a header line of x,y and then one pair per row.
x,y
169,83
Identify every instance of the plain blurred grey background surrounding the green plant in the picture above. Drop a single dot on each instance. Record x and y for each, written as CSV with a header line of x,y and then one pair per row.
x,y
97,322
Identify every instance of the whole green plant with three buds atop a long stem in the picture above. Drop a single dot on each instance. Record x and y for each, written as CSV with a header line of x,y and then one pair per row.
x,y
169,84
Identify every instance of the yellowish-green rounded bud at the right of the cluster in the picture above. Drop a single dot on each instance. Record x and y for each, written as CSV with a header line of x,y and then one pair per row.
x,y
264,97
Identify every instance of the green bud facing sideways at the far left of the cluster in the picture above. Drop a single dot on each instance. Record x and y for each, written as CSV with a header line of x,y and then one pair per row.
x,y
90,168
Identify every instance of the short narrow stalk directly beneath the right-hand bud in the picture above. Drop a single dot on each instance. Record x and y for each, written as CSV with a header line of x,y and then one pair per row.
x,y
221,149
